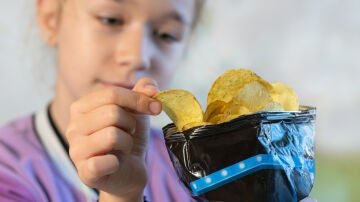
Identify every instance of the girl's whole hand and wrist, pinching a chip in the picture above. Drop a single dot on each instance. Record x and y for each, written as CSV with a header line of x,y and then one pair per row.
x,y
107,137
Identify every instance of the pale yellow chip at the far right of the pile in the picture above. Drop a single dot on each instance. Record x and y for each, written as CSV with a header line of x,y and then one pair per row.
x,y
286,96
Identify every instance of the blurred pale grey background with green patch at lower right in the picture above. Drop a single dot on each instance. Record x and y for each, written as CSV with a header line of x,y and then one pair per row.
x,y
312,46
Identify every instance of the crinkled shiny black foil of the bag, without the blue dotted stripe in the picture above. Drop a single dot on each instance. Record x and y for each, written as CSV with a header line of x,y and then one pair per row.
x,y
200,151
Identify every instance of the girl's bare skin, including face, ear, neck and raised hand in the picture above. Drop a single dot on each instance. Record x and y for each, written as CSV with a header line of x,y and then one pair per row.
x,y
113,56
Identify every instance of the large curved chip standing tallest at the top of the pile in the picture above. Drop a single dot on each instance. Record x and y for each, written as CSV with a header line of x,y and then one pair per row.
x,y
227,86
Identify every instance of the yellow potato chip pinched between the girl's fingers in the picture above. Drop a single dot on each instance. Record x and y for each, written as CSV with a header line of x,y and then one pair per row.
x,y
181,106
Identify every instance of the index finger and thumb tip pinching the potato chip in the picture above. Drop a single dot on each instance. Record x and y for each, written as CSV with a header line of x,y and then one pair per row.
x,y
138,100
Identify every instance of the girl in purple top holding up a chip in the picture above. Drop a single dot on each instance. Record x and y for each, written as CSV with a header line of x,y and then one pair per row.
x,y
93,141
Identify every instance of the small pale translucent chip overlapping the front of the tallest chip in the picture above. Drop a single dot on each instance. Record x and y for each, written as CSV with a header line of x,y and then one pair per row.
x,y
254,96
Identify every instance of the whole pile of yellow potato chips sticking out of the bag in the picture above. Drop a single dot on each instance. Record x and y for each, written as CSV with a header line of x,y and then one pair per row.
x,y
236,92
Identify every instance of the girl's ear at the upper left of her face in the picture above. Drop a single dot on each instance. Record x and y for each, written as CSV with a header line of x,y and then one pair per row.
x,y
47,14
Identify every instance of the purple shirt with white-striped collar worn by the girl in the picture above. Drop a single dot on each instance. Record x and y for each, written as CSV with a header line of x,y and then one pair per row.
x,y
34,166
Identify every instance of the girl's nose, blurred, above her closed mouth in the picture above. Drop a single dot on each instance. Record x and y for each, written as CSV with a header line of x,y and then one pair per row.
x,y
135,48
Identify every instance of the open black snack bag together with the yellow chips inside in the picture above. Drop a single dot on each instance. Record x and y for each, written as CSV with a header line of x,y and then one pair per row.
x,y
253,142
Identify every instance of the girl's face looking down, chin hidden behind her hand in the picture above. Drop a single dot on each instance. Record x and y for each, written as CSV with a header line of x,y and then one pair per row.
x,y
116,42
